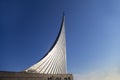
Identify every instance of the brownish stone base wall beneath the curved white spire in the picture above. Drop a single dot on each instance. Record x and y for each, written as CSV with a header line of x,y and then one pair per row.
x,y
33,76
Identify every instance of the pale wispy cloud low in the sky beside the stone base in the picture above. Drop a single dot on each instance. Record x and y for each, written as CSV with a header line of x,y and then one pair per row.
x,y
113,74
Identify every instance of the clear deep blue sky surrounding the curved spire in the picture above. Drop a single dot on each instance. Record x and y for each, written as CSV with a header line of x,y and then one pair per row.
x,y
28,28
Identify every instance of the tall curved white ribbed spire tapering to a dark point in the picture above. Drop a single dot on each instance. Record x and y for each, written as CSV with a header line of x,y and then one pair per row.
x,y
54,62
